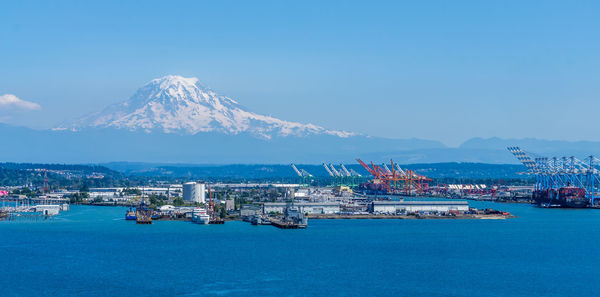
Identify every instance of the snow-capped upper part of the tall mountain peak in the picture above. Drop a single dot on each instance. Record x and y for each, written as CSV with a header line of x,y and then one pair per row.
x,y
174,104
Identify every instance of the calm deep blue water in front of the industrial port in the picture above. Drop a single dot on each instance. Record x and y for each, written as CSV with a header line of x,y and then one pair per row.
x,y
93,251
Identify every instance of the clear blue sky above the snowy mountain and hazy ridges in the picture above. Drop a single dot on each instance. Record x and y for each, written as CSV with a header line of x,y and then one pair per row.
x,y
442,70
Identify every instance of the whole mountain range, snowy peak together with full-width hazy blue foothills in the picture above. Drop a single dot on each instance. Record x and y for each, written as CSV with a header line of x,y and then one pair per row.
x,y
178,120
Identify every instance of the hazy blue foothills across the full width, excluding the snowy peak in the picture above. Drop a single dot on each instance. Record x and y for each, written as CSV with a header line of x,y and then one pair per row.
x,y
110,145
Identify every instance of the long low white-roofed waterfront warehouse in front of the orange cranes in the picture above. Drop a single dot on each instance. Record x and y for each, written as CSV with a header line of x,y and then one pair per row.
x,y
392,207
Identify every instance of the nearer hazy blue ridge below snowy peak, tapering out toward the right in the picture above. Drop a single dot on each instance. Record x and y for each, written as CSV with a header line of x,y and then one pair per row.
x,y
110,144
